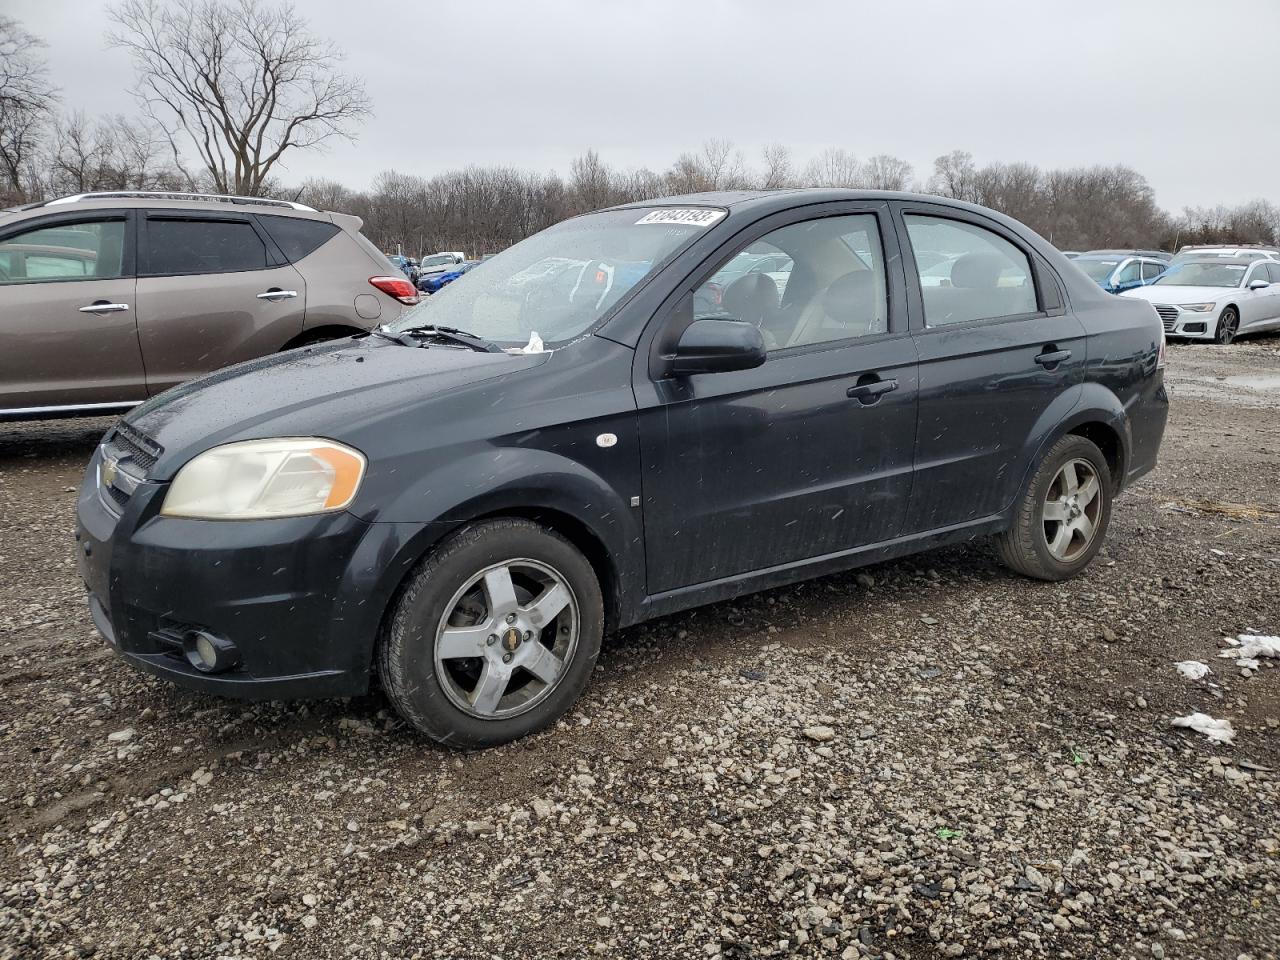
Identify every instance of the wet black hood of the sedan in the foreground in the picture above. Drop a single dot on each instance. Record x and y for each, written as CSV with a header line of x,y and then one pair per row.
x,y
332,391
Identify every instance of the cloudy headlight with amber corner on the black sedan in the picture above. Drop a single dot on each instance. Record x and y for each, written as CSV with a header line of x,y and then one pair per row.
x,y
260,479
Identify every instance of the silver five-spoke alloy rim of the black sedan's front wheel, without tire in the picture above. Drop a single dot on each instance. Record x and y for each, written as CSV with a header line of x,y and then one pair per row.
x,y
506,639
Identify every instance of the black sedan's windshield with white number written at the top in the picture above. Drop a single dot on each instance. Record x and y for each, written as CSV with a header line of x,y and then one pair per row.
x,y
561,282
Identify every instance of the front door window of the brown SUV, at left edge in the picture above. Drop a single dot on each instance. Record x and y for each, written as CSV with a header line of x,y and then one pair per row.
x,y
81,252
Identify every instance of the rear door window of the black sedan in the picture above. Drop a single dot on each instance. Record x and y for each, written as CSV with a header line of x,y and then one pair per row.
x,y
980,277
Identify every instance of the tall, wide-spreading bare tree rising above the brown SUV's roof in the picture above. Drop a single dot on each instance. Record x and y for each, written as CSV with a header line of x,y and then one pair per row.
x,y
243,81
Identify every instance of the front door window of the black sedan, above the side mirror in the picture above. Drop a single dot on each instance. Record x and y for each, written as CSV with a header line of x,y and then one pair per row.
x,y
812,282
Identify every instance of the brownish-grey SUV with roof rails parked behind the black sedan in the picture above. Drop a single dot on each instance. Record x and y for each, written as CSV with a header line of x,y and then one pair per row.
x,y
108,299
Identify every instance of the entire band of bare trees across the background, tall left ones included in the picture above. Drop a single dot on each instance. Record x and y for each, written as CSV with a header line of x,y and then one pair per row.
x,y
227,89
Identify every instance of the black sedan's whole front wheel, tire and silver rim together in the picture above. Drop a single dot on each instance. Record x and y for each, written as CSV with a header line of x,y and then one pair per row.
x,y
504,606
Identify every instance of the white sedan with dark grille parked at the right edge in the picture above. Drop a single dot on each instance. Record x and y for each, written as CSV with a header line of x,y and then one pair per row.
x,y
1215,299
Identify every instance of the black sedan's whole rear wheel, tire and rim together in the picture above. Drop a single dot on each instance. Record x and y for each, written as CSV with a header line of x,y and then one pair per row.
x,y
1048,540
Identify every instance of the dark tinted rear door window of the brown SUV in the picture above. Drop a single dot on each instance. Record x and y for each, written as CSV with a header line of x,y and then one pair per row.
x,y
203,246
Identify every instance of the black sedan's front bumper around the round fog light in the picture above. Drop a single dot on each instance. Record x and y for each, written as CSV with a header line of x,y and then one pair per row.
x,y
301,598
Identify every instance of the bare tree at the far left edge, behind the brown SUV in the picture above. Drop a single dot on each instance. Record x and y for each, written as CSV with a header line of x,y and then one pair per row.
x,y
28,100
